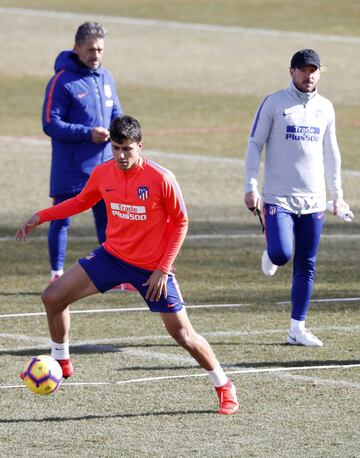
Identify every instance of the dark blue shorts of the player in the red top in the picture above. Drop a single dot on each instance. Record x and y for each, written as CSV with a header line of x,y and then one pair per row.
x,y
107,271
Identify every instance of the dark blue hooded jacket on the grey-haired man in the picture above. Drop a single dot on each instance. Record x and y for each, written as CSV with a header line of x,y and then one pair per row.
x,y
77,99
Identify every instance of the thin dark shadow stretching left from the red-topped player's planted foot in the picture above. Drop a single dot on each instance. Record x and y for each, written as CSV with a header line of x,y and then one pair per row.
x,y
100,417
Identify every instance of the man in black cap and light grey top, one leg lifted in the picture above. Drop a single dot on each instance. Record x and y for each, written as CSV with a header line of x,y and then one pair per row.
x,y
298,127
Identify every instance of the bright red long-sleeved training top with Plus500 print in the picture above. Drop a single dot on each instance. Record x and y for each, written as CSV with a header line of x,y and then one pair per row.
x,y
147,218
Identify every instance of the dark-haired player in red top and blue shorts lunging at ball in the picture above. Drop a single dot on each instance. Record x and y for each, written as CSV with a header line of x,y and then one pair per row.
x,y
147,224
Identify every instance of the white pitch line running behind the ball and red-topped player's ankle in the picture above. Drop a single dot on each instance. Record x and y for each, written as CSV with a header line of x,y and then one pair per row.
x,y
203,374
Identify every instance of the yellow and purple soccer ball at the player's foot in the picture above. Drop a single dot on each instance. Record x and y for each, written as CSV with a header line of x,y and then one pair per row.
x,y
42,374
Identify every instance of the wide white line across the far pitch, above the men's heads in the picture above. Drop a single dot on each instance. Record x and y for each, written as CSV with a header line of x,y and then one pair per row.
x,y
181,25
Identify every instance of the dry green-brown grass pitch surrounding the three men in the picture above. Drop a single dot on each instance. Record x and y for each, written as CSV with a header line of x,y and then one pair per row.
x,y
195,90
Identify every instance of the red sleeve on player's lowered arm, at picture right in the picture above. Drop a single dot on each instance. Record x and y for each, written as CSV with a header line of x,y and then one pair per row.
x,y
178,221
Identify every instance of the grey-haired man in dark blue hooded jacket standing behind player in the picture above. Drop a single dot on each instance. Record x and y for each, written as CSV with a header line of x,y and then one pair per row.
x,y
80,102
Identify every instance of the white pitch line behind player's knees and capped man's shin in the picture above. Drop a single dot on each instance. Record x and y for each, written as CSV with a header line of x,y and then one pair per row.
x,y
146,309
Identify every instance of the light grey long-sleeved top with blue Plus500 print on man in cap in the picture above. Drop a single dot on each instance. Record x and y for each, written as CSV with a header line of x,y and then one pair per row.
x,y
301,151
